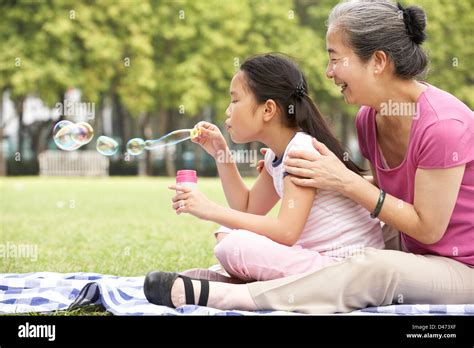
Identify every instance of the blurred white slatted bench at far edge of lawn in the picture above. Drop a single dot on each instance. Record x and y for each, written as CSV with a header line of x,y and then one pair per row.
x,y
76,163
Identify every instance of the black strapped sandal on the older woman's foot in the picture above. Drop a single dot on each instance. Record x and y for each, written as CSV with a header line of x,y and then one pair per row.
x,y
157,288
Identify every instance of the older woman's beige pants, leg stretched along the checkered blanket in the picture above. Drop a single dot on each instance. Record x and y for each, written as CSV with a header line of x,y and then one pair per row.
x,y
373,278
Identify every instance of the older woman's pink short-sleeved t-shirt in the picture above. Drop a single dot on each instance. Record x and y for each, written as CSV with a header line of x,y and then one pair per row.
x,y
441,136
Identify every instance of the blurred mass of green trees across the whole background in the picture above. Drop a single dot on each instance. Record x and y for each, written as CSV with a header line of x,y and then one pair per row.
x,y
164,63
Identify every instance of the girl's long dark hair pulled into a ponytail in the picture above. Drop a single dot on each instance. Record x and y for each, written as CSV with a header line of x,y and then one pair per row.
x,y
276,77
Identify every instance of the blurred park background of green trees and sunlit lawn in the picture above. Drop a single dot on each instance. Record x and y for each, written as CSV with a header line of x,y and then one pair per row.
x,y
150,67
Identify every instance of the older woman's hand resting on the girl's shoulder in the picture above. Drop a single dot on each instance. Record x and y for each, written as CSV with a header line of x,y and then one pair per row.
x,y
323,172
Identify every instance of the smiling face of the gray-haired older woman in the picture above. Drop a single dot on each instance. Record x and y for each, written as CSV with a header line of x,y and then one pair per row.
x,y
348,71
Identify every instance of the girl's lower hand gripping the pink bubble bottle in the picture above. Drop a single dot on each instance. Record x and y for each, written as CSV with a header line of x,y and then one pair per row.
x,y
191,201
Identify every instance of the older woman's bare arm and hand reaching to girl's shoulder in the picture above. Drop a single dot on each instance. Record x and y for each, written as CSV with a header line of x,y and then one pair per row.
x,y
425,220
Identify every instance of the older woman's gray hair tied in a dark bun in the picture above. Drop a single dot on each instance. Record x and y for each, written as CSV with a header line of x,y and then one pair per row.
x,y
370,26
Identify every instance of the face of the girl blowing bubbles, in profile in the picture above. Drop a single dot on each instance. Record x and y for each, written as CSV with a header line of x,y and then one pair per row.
x,y
244,122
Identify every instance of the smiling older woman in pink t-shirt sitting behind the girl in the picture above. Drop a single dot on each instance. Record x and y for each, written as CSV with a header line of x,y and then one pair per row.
x,y
419,141
